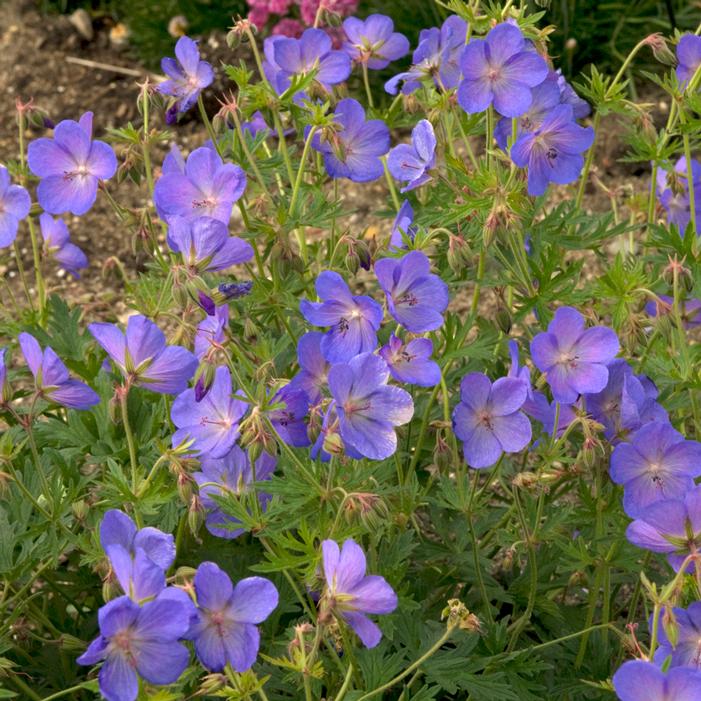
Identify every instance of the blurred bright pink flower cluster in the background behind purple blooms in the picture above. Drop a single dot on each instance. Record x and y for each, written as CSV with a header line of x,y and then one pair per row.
x,y
290,25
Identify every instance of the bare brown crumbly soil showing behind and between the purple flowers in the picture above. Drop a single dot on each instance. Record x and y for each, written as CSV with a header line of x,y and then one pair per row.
x,y
33,53
